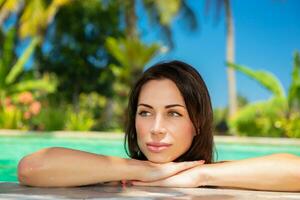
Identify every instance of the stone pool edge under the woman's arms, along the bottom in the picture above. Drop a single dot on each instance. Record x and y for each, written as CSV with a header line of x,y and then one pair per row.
x,y
12,190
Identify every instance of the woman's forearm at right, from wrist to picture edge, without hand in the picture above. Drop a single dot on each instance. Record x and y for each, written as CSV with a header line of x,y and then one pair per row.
x,y
279,172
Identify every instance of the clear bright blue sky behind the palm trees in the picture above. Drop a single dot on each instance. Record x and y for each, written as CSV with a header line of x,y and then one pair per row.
x,y
267,33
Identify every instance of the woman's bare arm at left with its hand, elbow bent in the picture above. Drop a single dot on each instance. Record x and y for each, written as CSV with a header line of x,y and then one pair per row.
x,y
62,167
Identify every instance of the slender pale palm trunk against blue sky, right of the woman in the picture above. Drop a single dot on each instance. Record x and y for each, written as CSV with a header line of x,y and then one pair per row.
x,y
230,58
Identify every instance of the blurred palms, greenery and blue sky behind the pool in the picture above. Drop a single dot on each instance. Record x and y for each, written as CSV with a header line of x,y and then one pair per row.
x,y
69,64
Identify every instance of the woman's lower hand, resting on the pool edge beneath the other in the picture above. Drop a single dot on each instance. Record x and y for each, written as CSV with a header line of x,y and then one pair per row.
x,y
192,177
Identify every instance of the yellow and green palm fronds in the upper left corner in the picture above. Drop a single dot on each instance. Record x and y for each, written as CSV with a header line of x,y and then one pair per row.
x,y
34,15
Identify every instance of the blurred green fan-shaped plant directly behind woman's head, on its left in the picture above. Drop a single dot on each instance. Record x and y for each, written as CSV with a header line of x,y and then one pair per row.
x,y
132,55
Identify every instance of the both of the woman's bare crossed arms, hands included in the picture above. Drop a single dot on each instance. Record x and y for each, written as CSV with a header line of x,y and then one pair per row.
x,y
61,167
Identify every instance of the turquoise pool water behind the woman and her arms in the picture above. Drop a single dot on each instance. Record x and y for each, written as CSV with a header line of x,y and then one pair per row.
x,y
13,148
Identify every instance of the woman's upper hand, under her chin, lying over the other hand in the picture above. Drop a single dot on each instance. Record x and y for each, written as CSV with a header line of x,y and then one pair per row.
x,y
155,172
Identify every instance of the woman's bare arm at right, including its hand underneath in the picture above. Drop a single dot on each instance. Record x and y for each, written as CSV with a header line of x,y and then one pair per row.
x,y
278,172
